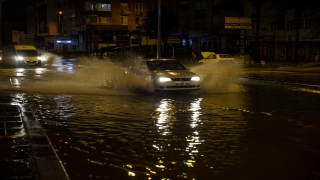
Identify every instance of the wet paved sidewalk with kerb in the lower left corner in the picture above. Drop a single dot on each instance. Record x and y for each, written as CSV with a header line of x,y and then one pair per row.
x,y
26,152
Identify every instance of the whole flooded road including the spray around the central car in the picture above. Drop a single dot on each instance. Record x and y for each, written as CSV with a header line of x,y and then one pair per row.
x,y
105,125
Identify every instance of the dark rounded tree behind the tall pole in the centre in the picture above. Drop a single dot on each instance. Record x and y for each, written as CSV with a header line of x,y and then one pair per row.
x,y
169,23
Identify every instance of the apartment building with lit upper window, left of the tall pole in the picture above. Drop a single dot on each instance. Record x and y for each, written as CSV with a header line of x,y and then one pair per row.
x,y
113,22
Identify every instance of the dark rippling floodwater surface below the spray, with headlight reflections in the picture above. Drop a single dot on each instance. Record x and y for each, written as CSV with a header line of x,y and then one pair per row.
x,y
174,136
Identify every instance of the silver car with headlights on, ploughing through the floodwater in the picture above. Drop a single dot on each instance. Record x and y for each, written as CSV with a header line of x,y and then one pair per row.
x,y
168,74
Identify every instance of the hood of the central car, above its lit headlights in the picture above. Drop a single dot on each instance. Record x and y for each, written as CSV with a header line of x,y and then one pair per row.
x,y
174,73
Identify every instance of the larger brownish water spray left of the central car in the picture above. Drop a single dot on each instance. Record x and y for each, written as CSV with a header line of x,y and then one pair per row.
x,y
89,75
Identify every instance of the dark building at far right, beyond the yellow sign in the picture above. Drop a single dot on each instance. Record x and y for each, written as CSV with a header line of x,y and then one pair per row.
x,y
278,36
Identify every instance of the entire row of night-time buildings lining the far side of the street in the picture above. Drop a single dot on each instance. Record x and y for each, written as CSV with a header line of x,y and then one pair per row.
x,y
90,25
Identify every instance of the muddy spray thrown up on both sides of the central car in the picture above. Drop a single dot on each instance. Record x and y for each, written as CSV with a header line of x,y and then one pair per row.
x,y
90,75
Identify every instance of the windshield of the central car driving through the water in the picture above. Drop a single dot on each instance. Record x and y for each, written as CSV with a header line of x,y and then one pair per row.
x,y
165,65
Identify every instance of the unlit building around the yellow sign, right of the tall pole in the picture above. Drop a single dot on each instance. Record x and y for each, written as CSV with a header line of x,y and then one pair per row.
x,y
202,23
